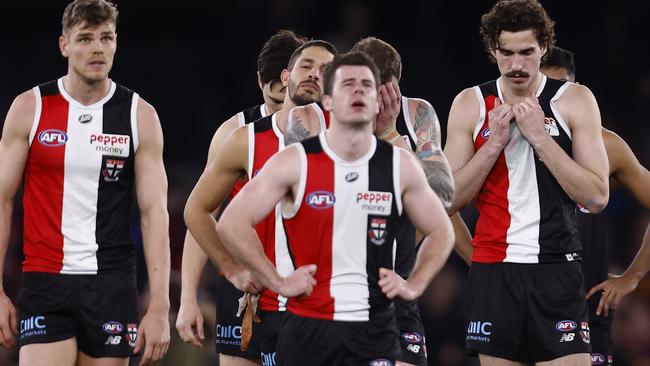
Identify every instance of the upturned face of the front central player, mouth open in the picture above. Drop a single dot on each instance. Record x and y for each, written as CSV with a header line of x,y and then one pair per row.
x,y
354,98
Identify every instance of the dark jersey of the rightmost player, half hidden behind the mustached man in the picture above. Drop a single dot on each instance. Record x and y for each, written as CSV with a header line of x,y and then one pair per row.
x,y
594,237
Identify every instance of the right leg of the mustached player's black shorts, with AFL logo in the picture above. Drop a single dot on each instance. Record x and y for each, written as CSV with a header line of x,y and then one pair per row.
x,y
557,312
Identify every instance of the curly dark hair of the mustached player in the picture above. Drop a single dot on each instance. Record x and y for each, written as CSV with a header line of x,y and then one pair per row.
x,y
516,16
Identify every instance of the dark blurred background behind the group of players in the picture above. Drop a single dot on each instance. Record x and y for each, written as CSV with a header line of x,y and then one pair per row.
x,y
195,61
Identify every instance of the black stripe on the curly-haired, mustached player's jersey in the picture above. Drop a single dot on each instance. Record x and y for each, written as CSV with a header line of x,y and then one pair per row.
x,y
558,233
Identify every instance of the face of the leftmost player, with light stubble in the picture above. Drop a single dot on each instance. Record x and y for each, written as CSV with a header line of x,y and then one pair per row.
x,y
90,50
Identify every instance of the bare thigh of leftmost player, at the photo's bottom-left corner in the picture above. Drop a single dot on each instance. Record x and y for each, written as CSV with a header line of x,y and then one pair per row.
x,y
63,353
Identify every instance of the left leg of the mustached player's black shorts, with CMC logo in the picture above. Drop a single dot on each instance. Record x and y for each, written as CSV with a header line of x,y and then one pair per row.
x,y
495,311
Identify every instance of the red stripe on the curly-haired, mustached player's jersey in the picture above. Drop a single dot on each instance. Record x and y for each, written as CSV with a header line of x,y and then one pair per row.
x,y
492,203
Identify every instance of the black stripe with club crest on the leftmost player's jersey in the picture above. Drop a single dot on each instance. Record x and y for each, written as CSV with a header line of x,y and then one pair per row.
x,y
116,187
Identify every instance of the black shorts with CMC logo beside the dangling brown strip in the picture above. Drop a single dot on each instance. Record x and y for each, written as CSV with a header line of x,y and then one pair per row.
x,y
228,324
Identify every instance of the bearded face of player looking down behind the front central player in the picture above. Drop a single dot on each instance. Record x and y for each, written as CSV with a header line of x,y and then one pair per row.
x,y
305,82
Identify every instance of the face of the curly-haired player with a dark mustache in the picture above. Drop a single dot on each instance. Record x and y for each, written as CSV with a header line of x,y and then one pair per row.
x,y
518,57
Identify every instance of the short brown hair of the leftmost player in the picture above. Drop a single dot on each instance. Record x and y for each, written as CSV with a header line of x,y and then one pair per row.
x,y
92,12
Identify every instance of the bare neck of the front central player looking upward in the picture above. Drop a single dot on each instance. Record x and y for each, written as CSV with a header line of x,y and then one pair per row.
x,y
349,141
